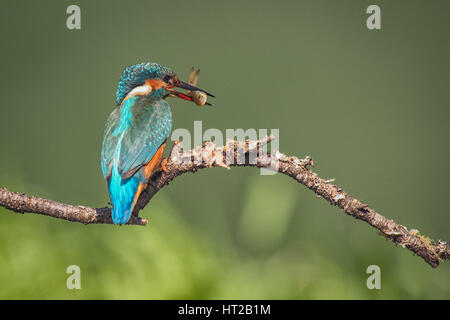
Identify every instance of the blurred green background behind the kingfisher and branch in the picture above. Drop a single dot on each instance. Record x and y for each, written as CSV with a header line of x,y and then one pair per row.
x,y
370,107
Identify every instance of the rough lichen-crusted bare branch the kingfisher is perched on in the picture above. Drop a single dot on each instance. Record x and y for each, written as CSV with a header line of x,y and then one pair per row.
x,y
234,153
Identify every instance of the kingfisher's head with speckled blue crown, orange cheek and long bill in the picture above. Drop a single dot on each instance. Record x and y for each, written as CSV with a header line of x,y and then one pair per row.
x,y
153,81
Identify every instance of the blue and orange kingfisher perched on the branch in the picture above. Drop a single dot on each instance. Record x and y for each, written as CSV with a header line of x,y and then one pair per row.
x,y
136,132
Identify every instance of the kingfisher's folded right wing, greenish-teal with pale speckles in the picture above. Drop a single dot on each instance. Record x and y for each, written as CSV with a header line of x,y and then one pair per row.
x,y
151,125
